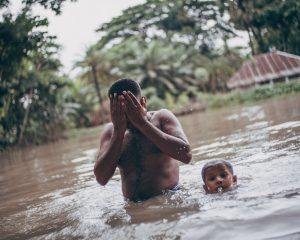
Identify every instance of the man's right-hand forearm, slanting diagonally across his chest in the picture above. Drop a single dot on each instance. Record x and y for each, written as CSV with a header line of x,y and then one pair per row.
x,y
173,146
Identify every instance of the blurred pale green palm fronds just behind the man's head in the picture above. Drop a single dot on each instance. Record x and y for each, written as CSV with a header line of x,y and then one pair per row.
x,y
167,66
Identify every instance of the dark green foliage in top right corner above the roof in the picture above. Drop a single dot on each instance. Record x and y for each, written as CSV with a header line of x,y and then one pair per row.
x,y
270,24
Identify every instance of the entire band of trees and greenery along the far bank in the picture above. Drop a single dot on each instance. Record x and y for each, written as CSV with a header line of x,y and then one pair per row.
x,y
177,50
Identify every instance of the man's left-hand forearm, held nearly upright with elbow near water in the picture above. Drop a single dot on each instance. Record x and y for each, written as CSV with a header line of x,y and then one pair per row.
x,y
107,161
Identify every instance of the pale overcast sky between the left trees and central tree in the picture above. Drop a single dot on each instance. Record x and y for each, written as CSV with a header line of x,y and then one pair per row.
x,y
75,27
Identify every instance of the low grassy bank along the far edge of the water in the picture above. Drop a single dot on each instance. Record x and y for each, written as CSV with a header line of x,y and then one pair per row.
x,y
203,103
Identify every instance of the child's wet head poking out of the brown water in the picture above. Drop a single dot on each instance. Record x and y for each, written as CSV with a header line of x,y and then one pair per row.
x,y
218,176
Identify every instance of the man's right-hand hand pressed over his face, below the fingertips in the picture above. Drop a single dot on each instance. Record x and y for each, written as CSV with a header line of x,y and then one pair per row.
x,y
135,112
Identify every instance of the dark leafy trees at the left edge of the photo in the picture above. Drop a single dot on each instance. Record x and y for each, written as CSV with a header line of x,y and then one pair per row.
x,y
31,104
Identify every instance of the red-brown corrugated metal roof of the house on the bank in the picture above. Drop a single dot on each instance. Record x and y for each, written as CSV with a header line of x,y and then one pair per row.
x,y
265,67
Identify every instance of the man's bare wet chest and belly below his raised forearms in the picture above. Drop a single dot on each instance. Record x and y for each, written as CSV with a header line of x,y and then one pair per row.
x,y
145,170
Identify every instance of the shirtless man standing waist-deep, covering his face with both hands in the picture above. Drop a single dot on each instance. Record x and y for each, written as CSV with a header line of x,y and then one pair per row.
x,y
144,145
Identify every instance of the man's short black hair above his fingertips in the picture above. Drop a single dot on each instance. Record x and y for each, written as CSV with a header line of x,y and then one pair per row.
x,y
125,84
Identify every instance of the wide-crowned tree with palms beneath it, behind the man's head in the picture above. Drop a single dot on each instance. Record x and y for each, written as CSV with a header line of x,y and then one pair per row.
x,y
178,46
